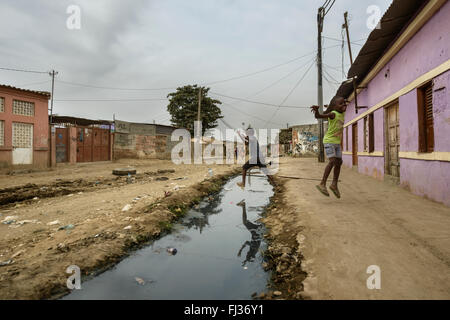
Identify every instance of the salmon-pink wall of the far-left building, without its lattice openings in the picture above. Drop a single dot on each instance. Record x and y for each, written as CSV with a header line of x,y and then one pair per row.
x,y
41,149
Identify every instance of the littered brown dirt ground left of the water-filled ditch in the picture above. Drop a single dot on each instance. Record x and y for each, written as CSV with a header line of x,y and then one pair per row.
x,y
87,225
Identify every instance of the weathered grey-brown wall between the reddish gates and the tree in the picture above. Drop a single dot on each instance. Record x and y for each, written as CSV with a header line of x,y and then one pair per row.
x,y
141,141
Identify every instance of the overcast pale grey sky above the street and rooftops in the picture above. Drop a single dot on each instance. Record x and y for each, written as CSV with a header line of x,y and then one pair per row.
x,y
163,44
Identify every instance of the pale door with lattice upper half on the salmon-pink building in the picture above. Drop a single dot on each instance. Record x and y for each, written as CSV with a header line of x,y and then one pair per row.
x,y
22,135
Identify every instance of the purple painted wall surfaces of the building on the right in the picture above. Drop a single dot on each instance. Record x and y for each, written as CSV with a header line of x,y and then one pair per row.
x,y
428,49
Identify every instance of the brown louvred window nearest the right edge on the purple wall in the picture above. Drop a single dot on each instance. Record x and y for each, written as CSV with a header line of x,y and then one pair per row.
x,y
425,117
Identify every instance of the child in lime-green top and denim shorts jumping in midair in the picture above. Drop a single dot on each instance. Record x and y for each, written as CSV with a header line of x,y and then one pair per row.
x,y
335,114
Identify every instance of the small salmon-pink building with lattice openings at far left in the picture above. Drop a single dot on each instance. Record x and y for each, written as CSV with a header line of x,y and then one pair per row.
x,y
24,127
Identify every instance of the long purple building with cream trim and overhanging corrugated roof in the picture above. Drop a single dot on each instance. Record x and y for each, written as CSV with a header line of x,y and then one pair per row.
x,y
403,80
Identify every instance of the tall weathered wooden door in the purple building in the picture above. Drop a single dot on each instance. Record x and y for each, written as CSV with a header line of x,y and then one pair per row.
x,y
393,140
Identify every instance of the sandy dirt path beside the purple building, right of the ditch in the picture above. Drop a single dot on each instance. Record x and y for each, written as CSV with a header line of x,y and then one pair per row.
x,y
374,223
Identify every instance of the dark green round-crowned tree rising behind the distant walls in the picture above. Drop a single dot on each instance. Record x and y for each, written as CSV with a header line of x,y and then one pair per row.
x,y
183,106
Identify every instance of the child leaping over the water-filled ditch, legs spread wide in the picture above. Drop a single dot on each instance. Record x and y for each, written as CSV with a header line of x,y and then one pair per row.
x,y
256,158
